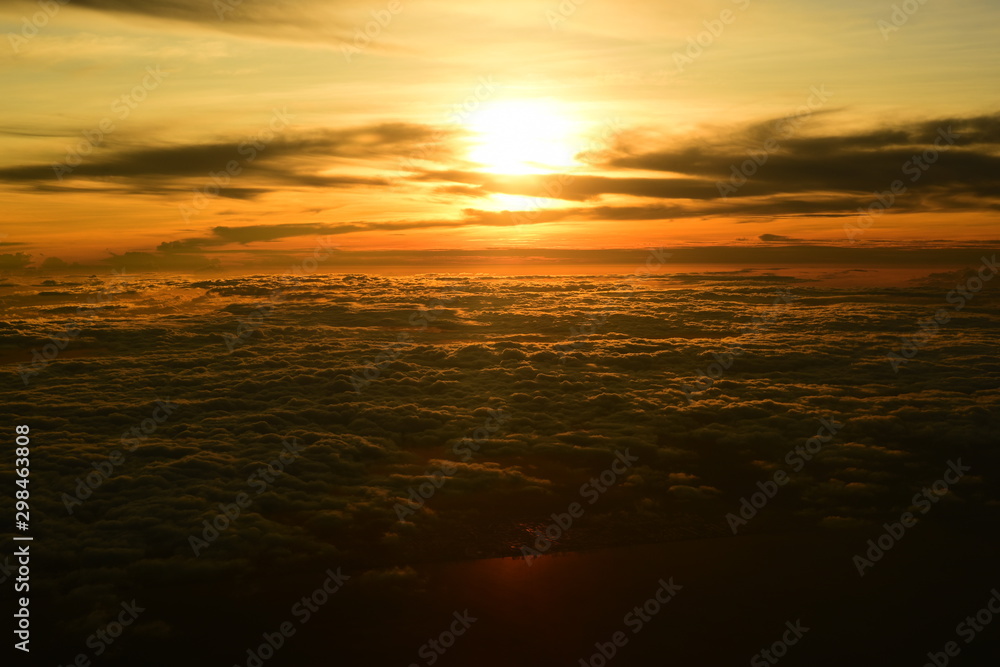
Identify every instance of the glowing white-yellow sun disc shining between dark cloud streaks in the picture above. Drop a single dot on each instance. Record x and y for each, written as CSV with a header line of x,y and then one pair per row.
x,y
523,137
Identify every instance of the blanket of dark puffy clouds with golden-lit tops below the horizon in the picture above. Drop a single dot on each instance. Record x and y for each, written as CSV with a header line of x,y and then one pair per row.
x,y
366,445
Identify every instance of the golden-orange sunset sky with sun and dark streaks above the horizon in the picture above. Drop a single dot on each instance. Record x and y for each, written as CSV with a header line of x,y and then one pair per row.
x,y
524,124
